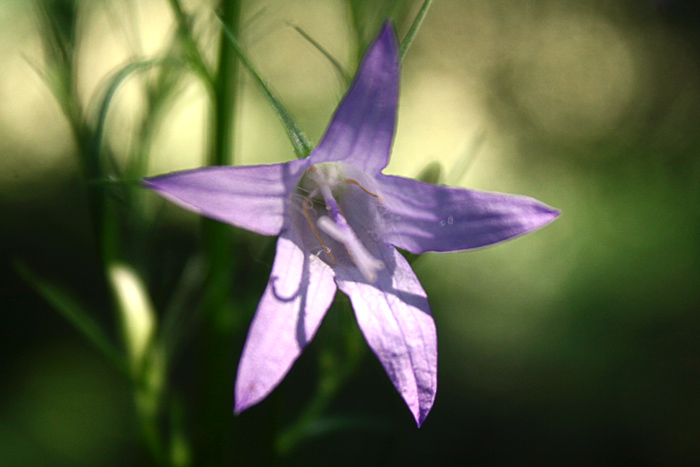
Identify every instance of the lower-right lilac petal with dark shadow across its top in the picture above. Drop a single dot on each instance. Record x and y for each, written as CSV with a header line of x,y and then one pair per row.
x,y
395,318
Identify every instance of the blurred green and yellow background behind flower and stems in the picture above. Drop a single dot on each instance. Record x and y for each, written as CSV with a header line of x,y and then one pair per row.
x,y
576,345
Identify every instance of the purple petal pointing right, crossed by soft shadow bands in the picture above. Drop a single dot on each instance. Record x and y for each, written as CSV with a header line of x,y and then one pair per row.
x,y
422,217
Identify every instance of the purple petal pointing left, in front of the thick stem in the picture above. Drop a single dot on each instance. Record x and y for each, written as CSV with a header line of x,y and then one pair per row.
x,y
249,197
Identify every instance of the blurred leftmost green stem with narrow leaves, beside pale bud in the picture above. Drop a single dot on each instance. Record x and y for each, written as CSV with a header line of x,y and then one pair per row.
x,y
62,32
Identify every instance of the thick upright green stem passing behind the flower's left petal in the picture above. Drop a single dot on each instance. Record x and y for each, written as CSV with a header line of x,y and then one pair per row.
x,y
219,323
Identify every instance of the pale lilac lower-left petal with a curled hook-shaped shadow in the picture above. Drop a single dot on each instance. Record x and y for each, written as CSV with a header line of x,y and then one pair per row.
x,y
298,294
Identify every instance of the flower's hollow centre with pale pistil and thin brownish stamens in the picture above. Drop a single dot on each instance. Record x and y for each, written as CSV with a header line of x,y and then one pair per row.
x,y
339,216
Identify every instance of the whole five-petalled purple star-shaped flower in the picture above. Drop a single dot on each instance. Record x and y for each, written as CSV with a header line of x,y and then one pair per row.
x,y
339,221
